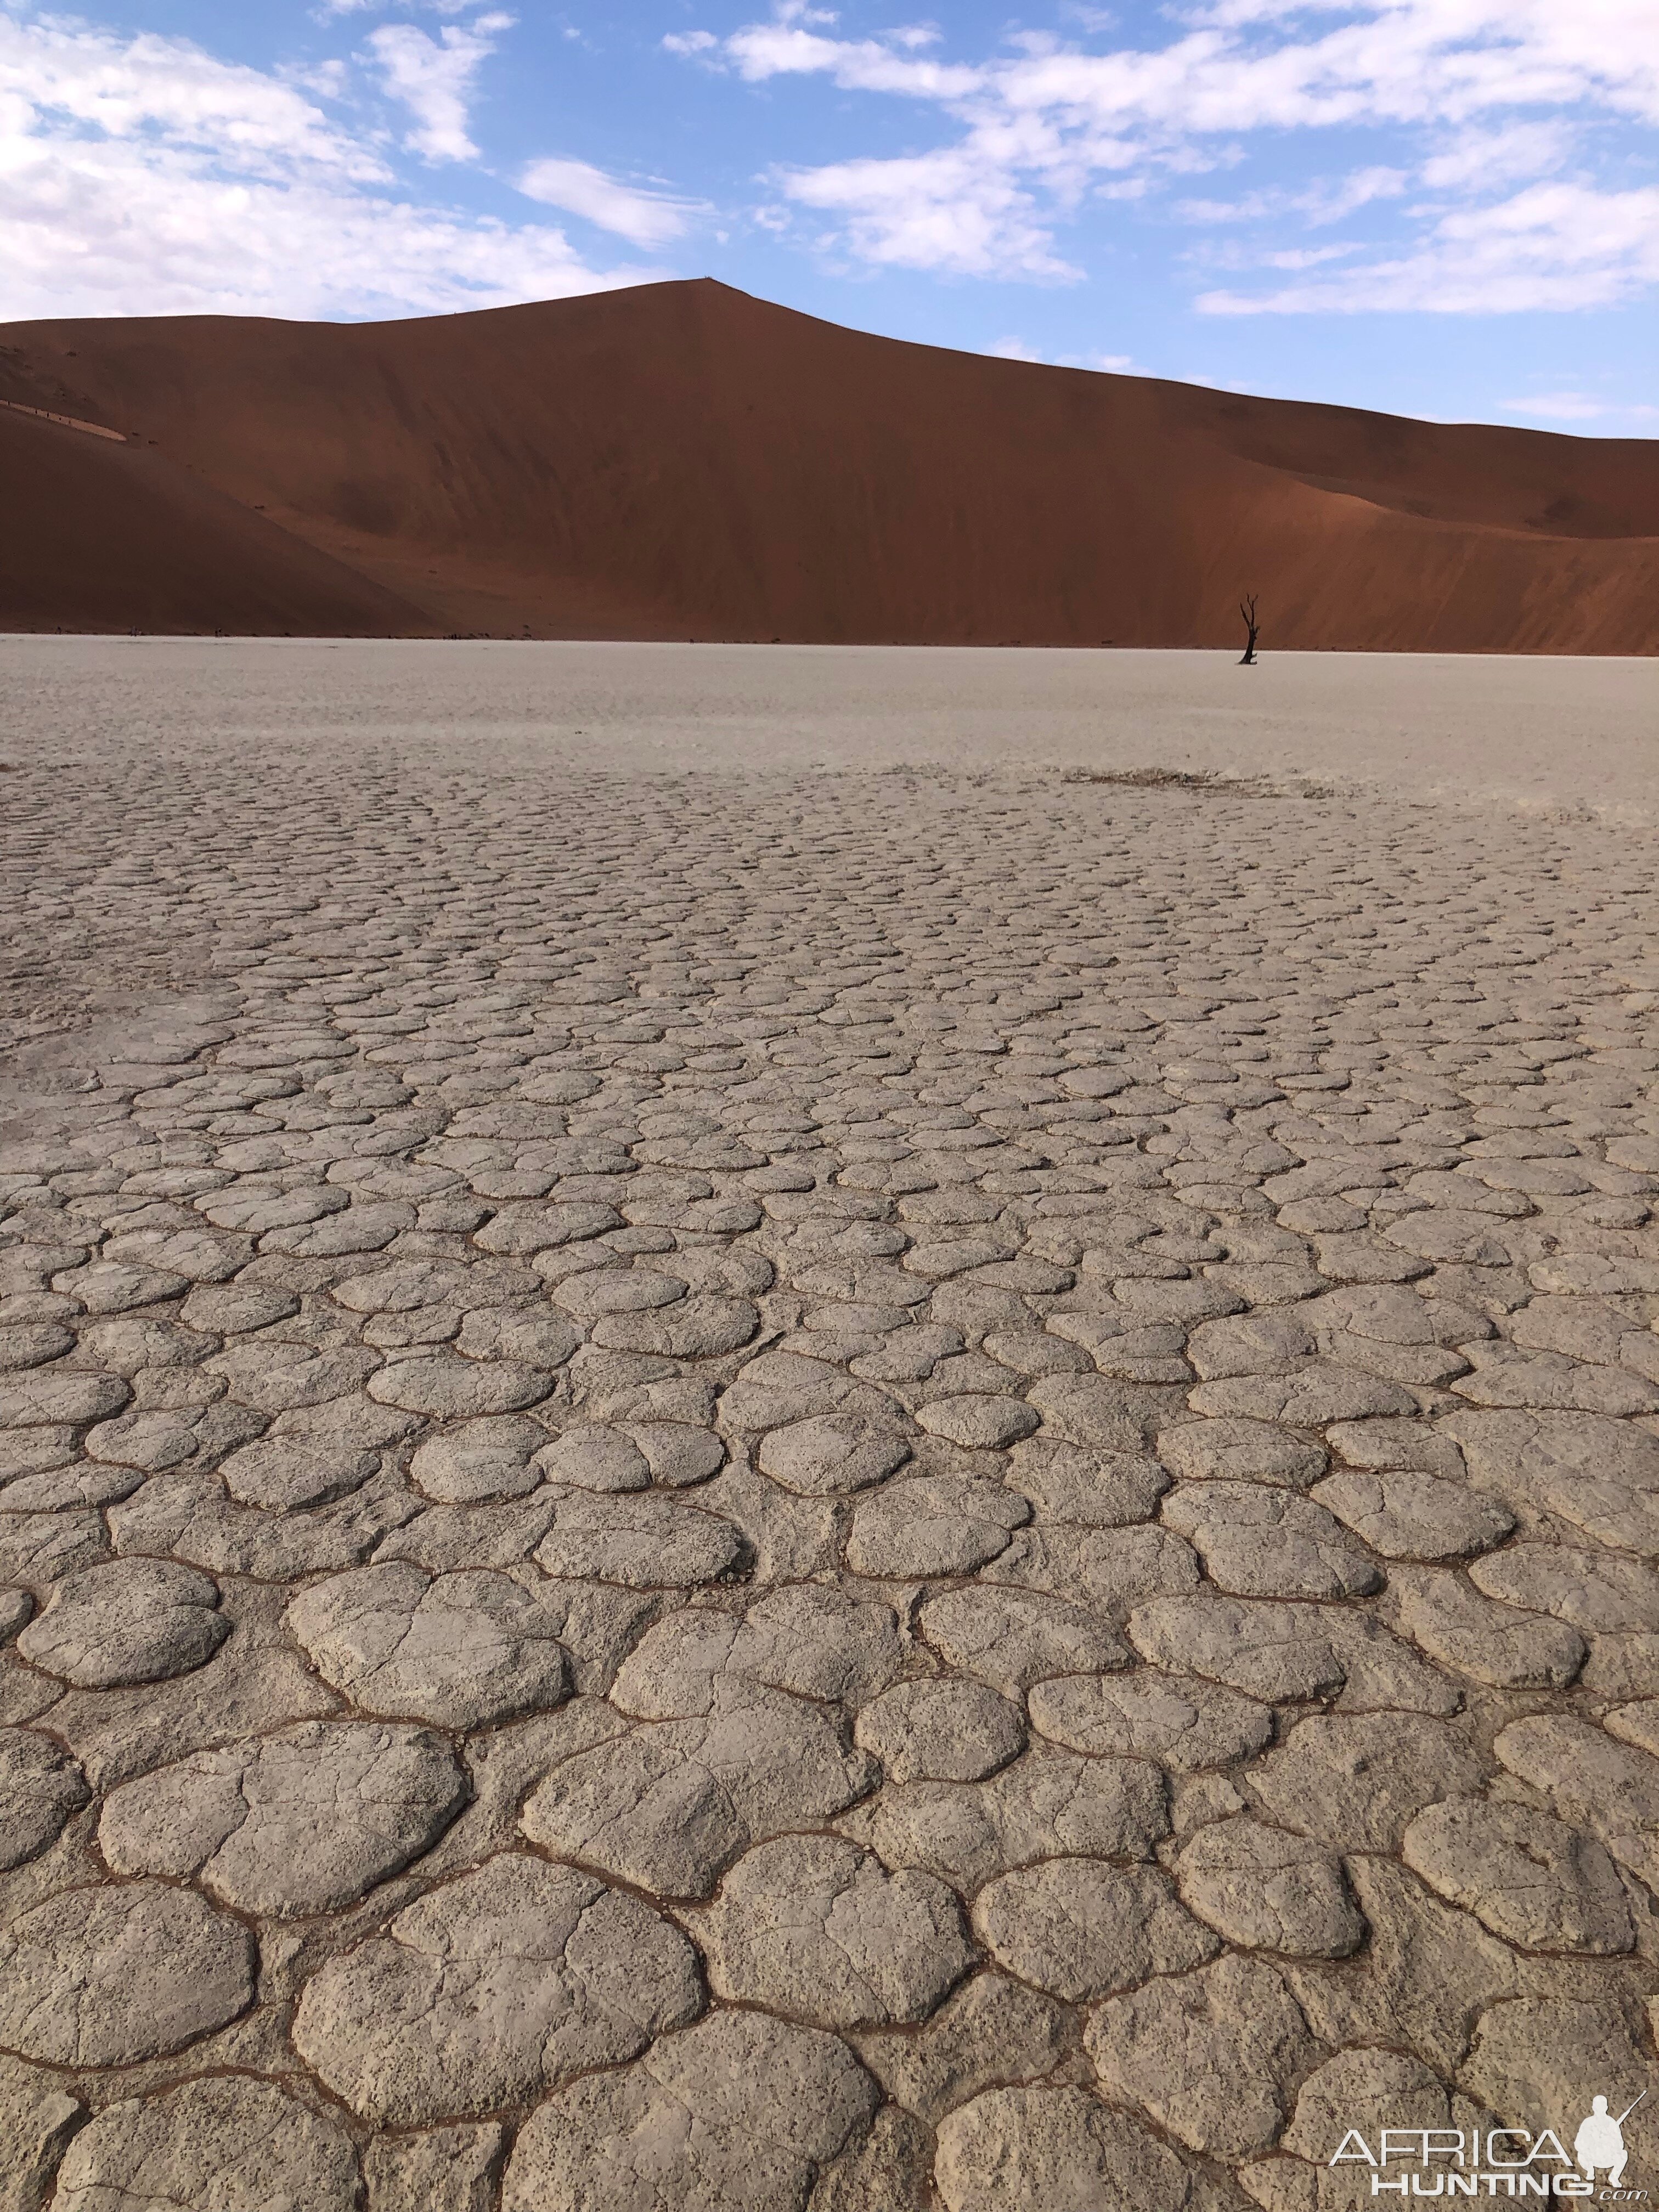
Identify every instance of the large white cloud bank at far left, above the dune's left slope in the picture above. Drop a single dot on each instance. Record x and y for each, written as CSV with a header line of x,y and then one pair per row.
x,y
140,176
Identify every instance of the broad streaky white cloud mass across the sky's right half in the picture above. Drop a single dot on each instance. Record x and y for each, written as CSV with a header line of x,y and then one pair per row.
x,y
1492,96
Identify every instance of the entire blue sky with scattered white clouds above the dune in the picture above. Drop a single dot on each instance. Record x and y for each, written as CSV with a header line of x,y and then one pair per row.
x,y
1443,209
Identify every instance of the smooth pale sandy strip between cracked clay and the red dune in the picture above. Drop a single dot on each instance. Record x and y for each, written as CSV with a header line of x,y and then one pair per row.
x,y
1538,733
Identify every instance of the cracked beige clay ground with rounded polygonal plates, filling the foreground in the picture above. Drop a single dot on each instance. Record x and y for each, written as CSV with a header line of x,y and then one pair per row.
x,y
744,1483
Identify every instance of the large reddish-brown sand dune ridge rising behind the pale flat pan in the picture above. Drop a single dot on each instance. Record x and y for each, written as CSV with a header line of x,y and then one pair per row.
x,y
685,461
